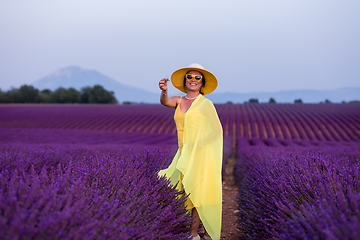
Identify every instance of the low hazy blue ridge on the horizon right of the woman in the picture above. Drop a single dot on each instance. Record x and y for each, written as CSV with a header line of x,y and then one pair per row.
x,y
307,96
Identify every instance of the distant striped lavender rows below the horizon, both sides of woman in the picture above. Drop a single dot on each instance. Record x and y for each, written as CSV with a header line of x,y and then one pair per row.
x,y
304,122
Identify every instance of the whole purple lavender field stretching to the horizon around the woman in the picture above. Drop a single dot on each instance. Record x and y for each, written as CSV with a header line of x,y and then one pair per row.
x,y
75,171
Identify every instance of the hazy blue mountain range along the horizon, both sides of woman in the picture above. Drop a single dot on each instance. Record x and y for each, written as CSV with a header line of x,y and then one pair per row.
x,y
77,78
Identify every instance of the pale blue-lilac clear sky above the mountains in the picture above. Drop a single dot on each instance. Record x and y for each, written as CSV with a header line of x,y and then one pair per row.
x,y
252,45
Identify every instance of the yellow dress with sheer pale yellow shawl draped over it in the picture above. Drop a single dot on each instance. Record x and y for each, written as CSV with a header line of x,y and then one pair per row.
x,y
197,164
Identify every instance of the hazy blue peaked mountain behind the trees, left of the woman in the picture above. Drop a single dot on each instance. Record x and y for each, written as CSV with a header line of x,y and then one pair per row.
x,y
77,78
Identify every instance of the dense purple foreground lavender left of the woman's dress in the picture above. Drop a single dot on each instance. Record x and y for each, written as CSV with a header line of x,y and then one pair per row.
x,y
82,192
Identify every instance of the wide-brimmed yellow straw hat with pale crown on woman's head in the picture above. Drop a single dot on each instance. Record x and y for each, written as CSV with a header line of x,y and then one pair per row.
x,y
177,78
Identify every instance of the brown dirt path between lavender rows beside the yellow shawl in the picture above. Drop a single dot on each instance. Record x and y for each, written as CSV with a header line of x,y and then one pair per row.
x,y
229,218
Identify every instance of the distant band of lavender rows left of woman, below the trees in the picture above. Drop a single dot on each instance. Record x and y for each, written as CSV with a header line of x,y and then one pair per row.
x,y
147,118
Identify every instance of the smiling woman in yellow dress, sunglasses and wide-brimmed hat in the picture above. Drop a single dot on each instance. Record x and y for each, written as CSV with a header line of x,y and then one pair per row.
x,y
197,164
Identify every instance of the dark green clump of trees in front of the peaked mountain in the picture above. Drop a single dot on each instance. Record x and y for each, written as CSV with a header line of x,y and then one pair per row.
x,y
29,94
